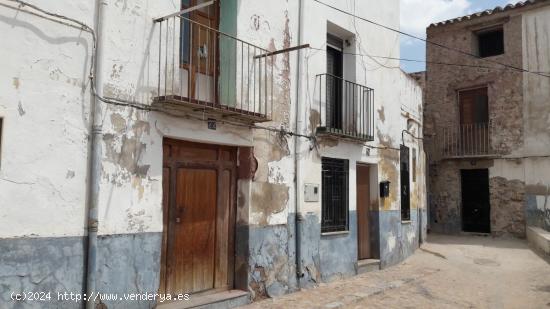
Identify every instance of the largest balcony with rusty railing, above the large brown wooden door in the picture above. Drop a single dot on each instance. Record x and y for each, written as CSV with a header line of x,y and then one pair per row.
x,y
207,72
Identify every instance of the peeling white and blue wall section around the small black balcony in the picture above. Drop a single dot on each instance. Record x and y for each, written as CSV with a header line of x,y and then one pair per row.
x,y
398,105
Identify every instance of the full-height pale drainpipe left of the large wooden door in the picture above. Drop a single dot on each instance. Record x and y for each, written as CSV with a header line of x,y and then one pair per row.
x,y
94,166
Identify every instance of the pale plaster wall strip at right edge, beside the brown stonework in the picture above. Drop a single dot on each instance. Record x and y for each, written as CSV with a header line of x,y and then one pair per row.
x,y
536,57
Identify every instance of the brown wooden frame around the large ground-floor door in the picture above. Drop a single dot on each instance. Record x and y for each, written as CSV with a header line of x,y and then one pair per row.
x,y
218,165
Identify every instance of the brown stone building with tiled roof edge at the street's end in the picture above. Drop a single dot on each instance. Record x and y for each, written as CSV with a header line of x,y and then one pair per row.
x,y
486,121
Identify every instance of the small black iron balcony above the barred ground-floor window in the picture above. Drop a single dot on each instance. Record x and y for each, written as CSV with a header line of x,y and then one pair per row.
x,y
346,109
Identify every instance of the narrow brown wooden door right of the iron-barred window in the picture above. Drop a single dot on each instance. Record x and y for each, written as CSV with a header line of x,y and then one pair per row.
x,y
363,212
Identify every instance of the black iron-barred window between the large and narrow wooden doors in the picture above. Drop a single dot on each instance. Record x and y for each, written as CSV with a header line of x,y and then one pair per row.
x,y
335,202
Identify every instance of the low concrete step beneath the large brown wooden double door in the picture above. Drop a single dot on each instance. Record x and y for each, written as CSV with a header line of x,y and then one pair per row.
x,y
219,300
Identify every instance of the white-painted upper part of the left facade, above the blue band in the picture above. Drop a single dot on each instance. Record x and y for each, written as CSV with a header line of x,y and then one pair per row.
x,y
45,101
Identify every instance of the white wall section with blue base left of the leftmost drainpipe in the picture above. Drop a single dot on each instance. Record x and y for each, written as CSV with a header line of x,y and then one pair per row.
x,y
44,103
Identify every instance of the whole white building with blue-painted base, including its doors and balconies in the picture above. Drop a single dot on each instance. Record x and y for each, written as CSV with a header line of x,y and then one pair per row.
x,y
195,153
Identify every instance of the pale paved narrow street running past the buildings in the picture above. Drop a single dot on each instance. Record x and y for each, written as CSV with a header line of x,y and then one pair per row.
x,y
447,272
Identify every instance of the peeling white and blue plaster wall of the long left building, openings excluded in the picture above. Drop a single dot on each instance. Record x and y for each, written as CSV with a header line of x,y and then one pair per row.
x,y
43,171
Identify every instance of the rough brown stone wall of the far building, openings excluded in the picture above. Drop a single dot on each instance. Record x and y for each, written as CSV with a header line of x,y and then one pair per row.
x,y
505,92
